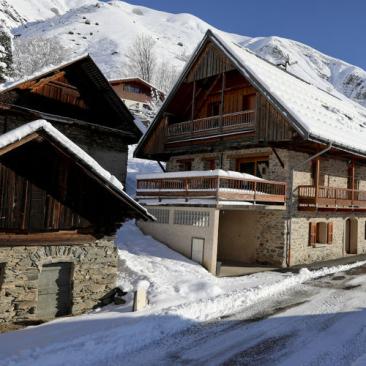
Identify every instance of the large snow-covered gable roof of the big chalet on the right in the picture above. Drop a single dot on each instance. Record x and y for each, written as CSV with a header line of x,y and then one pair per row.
x,y
315,113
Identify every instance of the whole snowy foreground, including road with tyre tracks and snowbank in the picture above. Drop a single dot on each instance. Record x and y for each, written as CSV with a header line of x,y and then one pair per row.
x,y
308,318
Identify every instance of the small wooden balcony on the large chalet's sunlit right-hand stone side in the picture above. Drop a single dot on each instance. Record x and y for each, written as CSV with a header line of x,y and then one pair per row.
x,y
330,198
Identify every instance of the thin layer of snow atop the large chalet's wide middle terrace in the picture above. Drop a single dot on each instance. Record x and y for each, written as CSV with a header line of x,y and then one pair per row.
x,y
199,173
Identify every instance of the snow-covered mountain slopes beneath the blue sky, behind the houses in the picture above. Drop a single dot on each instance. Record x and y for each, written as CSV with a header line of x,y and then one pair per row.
x,y
107,29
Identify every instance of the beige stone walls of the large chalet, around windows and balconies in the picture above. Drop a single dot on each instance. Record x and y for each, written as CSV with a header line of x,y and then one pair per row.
x,y
272,230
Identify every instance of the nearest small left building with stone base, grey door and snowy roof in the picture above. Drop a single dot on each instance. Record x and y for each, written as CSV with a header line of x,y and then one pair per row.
x,y
59,210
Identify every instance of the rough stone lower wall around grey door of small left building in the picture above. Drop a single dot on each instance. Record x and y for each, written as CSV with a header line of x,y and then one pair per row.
x,y
94,275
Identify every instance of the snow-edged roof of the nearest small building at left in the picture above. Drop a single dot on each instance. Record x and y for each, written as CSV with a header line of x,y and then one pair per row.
x,y
42,125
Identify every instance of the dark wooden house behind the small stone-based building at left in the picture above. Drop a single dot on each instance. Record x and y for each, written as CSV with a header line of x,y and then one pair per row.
x,y
78,100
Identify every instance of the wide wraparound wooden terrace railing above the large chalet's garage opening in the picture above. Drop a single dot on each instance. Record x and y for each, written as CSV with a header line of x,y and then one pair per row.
x,y
217,184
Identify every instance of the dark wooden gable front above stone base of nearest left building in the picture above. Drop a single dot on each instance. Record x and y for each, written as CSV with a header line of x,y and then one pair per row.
x,y
45,189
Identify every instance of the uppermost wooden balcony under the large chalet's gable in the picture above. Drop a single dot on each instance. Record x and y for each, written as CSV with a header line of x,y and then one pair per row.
x,y
209,126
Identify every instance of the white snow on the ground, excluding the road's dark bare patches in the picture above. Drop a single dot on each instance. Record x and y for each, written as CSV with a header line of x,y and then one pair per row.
x,y
182,296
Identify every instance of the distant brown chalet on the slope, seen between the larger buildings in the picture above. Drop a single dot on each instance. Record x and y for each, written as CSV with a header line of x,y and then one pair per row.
x,y
138,95
